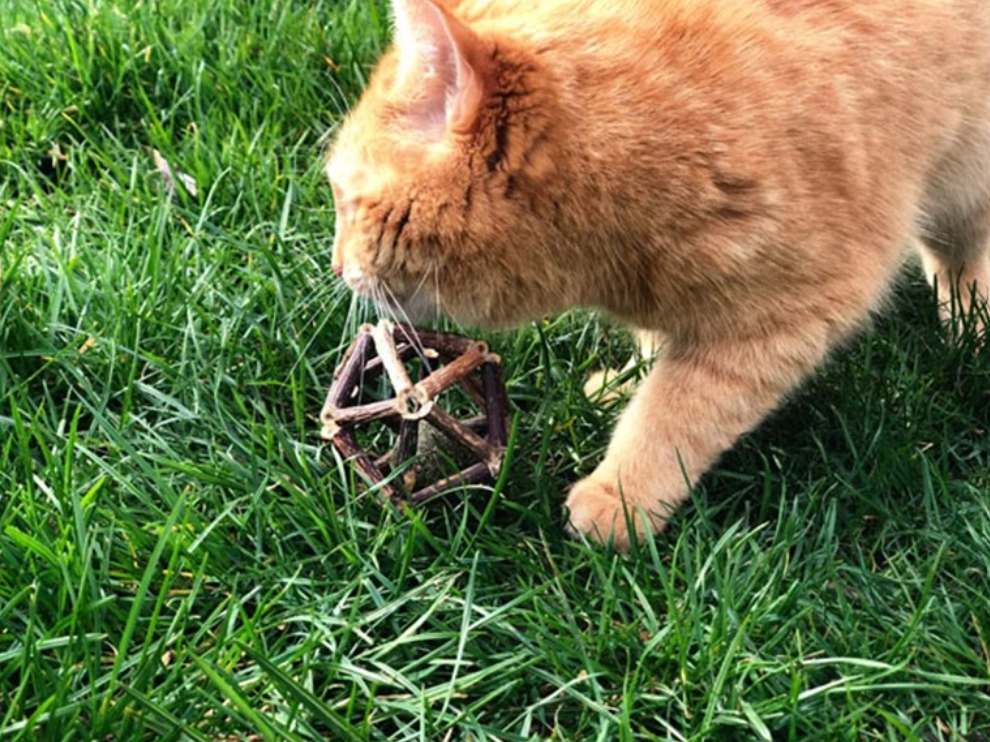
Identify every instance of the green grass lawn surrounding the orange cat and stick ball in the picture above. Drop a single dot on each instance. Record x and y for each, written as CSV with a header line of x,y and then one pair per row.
x,y
182,559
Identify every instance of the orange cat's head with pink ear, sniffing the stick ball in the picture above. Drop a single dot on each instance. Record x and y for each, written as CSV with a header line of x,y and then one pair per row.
x,y
444,176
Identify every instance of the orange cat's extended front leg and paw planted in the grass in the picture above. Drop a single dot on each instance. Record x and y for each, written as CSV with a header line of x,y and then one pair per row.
x,y
692,407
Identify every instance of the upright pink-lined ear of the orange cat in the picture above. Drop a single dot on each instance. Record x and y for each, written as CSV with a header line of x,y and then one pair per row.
x,y
443,61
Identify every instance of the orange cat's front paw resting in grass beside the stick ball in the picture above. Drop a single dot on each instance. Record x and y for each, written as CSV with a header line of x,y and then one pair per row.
x,y
597,511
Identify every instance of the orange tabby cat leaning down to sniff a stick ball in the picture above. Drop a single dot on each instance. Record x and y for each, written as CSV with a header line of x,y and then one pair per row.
x,y
744,177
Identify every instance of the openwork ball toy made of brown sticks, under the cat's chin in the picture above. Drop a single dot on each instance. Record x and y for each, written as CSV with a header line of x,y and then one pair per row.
x,y
429,440
